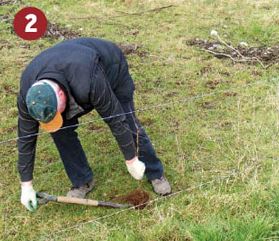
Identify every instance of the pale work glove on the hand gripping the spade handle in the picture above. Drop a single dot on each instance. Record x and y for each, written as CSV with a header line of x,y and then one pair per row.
x,y
28,197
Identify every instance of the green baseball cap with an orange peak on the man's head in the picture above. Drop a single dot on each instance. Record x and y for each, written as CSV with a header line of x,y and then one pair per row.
x,y
41,101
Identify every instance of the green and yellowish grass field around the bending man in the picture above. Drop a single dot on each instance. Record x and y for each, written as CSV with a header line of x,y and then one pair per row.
x,y
221,149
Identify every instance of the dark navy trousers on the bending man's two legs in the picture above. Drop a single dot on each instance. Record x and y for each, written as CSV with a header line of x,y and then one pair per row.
x,y
74,158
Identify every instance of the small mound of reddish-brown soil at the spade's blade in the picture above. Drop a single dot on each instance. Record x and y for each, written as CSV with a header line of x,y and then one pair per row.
x,y
138,198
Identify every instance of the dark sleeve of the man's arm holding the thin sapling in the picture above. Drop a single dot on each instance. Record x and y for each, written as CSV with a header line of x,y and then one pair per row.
x,y
109,108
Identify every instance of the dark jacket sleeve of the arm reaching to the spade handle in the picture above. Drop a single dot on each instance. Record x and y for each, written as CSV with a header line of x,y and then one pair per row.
x,y
26,143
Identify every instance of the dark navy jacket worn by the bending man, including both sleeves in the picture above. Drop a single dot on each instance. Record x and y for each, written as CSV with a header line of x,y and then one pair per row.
x,y
94,75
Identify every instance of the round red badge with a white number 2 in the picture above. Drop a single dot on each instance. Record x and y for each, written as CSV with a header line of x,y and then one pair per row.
x,y
30,23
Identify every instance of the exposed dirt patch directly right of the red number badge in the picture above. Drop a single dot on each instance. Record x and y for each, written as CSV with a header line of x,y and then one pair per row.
x,y
56,31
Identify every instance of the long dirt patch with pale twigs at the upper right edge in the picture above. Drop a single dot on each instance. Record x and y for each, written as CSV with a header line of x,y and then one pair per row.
x,y
267,55
